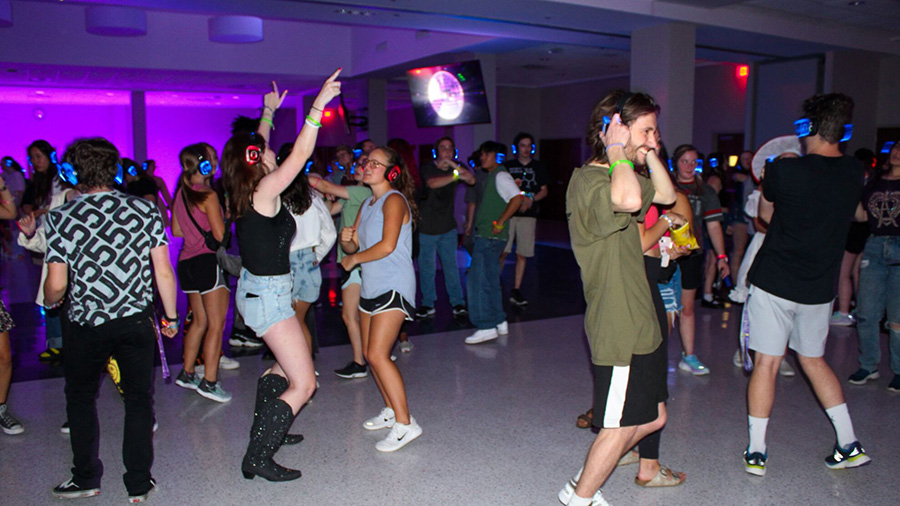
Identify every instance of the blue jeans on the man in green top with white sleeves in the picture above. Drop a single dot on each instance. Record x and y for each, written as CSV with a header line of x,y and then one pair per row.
x,y
483,284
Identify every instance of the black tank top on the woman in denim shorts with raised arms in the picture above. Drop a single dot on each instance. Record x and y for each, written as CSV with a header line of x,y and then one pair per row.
x,y
265,242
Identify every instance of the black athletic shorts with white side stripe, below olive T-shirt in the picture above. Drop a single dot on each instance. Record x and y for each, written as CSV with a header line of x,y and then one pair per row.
x,y
628,396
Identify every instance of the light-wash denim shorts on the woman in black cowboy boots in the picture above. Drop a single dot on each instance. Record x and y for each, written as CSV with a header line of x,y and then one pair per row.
x,y
263,301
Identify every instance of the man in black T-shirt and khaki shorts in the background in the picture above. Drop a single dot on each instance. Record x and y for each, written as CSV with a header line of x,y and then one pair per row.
x,y
532,177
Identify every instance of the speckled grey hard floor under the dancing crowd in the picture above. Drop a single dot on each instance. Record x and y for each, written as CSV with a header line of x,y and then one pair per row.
x,y
498,423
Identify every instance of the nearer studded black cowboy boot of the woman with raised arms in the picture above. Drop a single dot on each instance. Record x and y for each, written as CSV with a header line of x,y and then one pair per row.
x,y
266,436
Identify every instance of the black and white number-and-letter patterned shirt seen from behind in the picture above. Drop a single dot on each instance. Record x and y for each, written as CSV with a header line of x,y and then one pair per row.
x,y
105,239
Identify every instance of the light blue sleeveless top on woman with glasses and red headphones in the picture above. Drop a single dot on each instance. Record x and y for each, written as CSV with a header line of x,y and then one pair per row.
x,y
395,271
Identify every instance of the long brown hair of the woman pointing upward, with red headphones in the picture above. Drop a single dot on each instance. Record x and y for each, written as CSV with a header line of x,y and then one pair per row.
x,y
240,176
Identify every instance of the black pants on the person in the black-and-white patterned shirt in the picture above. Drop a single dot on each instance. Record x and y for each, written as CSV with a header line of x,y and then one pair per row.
x,y
133,342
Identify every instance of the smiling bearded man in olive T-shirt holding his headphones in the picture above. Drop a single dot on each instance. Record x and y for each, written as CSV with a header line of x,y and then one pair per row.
x,y
605,200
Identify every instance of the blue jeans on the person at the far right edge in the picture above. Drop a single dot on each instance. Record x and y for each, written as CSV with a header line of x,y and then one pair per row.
x,y
879,291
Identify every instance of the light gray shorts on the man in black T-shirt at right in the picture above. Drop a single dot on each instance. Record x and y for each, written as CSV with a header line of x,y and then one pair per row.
x,y
776,323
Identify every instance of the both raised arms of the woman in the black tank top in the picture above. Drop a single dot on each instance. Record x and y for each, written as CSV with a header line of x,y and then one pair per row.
x,y
271,186
